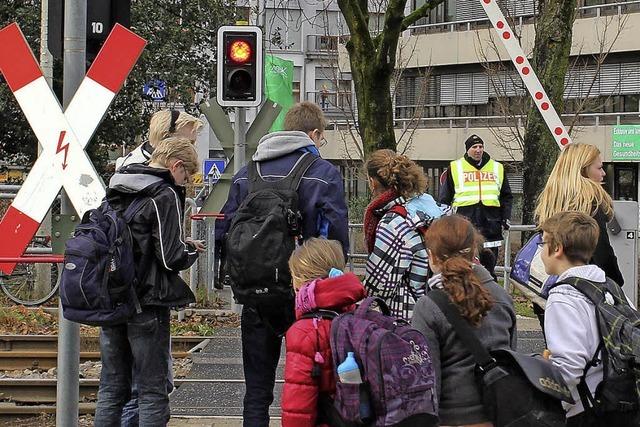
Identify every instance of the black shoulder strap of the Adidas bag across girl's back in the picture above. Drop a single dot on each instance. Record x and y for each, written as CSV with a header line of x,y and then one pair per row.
x,y
463,330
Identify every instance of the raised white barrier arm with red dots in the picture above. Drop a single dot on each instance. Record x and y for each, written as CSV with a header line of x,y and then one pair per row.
x,y
520,61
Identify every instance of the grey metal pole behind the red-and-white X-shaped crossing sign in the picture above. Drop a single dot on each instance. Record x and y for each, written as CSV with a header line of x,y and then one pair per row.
x,y
75,25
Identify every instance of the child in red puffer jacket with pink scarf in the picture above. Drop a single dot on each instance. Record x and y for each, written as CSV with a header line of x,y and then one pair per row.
x,y
322,292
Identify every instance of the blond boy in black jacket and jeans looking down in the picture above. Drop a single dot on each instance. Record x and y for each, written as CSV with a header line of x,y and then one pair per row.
x,y
140,348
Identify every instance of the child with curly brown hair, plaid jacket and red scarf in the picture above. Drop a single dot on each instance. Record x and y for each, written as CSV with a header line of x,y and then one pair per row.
x,y
397,268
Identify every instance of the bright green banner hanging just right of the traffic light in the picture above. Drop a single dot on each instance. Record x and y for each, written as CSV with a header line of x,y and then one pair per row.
x,y
278,86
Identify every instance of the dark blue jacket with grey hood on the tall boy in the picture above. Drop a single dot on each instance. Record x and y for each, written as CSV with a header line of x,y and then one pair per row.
x,y
321,192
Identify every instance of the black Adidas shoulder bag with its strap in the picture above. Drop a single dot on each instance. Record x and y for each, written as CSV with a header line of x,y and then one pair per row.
x,y
518,390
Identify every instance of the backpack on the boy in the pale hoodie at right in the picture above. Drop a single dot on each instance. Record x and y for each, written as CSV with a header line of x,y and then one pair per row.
x,y
617,396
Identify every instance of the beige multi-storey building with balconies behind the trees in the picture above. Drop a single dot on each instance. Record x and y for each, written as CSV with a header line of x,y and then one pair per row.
x,y
457,80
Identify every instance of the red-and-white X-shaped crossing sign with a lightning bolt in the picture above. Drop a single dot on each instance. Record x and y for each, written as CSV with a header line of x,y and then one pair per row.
x,y
62,135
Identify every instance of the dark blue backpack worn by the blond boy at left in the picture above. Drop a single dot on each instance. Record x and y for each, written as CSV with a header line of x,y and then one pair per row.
x,y
98,281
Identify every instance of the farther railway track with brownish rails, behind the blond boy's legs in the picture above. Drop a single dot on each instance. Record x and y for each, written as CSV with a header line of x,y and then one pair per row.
x,y
19,352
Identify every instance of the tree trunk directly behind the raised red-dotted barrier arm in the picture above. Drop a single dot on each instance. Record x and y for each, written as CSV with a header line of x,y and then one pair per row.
x,y
554,28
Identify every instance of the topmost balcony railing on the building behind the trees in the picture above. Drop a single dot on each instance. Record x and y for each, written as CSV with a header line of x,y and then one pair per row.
x,y
598,10
